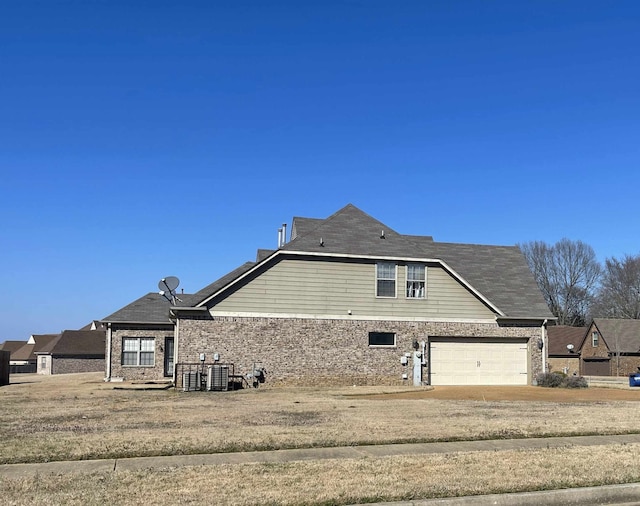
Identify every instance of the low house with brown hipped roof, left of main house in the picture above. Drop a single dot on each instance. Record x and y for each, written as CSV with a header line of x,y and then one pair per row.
x,y
72,351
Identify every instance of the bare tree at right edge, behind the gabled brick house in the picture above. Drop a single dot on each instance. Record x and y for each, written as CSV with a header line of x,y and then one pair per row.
x,y
619,294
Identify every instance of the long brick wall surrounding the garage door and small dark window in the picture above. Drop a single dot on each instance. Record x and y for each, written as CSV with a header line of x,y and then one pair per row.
x,y
328,352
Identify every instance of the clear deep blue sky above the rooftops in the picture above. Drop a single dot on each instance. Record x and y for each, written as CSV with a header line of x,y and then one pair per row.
x,y
145,139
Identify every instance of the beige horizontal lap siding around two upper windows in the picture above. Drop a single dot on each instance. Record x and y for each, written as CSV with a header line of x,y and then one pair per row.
x,y
320,287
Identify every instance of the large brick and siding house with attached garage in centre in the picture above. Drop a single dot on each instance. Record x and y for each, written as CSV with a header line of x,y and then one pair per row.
x,y
348,300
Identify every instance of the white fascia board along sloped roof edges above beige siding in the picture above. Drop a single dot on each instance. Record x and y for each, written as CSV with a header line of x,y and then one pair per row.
x,y
360,257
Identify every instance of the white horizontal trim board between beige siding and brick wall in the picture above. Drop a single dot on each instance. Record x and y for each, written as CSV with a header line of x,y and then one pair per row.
x,y
302,316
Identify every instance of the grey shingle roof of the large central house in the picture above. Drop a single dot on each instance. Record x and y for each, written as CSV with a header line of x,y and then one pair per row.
x,y
499,273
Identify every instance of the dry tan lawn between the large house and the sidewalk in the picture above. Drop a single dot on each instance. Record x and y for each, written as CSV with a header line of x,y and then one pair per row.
x,y
74,417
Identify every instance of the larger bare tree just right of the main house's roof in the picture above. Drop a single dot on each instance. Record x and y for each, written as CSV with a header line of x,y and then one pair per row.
x,y
567,274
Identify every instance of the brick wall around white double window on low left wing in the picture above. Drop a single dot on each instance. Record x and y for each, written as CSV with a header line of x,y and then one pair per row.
x,y
138,373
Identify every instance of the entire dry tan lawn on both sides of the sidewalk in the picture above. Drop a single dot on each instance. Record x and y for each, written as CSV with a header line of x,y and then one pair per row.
x,y
80,417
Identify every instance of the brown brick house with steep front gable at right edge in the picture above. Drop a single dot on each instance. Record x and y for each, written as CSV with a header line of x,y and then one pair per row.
x,y
611,347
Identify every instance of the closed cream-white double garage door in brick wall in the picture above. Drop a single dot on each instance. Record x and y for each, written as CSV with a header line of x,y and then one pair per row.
x,y
478,362
